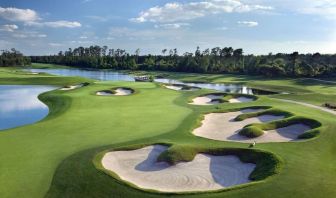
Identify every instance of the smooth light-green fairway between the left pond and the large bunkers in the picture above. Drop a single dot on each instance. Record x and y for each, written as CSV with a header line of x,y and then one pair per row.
x,y
31,154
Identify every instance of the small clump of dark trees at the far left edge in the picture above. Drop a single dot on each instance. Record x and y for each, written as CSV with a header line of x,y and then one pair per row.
x,y
13,57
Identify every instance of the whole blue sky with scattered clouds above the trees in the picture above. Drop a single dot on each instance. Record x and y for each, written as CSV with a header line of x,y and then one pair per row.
x,y
38,27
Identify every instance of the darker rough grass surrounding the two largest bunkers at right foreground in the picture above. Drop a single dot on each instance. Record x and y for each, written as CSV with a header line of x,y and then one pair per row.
x,y
77,176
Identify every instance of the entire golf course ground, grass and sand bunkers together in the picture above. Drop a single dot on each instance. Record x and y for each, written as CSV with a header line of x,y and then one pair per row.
x,y
113,138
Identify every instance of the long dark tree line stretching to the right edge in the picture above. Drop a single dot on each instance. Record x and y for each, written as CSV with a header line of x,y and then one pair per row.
x,y
215,60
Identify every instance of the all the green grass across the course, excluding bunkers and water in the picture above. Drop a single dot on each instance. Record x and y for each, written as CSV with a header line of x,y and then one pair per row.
x,y
55,156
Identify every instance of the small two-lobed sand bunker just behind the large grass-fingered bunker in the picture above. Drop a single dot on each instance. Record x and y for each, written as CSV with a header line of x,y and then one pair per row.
x,y
212,99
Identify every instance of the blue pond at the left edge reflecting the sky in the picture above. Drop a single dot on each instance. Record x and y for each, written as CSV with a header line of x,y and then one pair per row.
x,y
19,105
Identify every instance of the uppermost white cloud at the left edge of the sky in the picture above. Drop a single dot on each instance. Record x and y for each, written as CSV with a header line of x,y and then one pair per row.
x,y
16,14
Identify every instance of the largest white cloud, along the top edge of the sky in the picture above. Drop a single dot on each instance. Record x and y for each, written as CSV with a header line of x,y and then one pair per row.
x,y
172,12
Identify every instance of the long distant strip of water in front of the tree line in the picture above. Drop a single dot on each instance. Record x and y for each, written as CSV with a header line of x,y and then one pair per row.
x,y
117,76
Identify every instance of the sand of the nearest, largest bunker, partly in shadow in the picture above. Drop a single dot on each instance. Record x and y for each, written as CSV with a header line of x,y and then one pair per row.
x,y
205,172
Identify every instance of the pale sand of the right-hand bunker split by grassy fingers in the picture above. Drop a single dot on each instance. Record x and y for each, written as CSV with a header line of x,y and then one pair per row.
x,y
222,126
